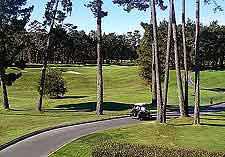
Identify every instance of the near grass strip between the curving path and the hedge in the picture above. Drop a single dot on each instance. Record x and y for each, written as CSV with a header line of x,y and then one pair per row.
x,y
178,133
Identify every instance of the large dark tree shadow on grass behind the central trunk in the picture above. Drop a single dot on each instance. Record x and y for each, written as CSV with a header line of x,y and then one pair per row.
x,y
91,106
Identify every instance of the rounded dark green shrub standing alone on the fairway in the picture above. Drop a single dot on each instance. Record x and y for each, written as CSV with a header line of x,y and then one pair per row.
x,y
54,84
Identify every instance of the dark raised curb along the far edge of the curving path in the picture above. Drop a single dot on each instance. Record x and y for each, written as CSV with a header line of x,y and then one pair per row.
x,y
23,137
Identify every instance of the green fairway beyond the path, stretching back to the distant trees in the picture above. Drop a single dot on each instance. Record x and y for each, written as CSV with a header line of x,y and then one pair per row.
x,y
122,87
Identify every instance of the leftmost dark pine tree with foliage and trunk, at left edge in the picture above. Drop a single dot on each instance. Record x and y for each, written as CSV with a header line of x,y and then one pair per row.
x,y
13,18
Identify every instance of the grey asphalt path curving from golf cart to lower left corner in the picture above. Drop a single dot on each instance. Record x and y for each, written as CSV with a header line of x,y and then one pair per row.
x,y
45,143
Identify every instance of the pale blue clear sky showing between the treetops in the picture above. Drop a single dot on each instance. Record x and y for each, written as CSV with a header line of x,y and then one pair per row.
x,y
120,21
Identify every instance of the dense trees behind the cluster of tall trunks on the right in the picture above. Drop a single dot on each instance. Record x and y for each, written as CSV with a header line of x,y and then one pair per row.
x,y
212,47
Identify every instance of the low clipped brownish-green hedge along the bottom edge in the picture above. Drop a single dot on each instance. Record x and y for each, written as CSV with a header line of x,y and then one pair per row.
x,y
116,149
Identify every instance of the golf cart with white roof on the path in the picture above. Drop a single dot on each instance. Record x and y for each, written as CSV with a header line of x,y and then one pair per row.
x,y
140,111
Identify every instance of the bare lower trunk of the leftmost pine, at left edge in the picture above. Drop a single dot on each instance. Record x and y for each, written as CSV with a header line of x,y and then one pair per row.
x,y
4,90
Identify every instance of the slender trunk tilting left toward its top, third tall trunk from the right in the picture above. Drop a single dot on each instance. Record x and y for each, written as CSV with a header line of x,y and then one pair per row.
x,y
177,62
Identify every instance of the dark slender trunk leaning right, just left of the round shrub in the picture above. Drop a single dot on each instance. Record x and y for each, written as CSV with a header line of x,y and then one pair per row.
x,y
45,62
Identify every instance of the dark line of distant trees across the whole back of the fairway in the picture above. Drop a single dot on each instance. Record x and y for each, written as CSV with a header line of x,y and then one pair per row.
x,y
73,46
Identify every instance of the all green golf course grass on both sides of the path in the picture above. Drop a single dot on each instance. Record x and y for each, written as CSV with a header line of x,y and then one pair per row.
x,y
123,87
